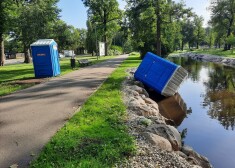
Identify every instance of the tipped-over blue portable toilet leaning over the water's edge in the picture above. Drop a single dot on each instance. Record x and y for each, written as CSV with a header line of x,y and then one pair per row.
x,y
160,74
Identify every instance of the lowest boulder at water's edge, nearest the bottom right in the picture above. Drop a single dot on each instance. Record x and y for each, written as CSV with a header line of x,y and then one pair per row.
x,y
195,158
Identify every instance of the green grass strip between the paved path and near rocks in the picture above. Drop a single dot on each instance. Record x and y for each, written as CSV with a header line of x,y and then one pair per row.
x,y
96,136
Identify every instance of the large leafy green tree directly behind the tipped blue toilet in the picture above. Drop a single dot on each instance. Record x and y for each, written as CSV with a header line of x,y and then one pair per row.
x,y
152,22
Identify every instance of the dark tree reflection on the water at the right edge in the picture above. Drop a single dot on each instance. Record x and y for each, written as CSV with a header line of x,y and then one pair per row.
x,y
220,95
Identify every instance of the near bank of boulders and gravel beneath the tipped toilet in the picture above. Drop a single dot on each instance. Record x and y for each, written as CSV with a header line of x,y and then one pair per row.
x,y
158,144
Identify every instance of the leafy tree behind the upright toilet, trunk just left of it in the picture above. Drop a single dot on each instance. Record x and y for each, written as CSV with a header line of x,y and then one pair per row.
x,y
34,22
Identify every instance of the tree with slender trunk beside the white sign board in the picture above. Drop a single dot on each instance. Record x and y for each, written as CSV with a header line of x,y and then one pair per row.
x,y
103,12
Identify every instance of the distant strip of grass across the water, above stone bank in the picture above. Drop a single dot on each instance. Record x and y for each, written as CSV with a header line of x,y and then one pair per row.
x,y
218,52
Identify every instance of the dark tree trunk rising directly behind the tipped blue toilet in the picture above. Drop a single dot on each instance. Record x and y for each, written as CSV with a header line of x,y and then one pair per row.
x,y
158,29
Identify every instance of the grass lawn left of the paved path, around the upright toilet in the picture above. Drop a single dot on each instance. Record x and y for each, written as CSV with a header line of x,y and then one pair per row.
x,y
11,73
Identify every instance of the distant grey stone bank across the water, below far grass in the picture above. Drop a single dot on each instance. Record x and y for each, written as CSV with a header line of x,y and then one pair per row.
x,y
210,58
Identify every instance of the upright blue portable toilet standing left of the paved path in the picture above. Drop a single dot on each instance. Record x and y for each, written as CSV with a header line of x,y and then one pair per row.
x,y
45,58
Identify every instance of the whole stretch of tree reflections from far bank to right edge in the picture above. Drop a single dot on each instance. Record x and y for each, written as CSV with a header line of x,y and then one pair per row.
x,y
220,89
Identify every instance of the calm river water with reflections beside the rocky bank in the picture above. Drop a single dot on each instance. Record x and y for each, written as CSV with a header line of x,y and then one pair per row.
x,y
204,110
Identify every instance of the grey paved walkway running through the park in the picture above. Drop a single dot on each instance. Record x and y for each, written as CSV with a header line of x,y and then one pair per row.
x,y
29,118
